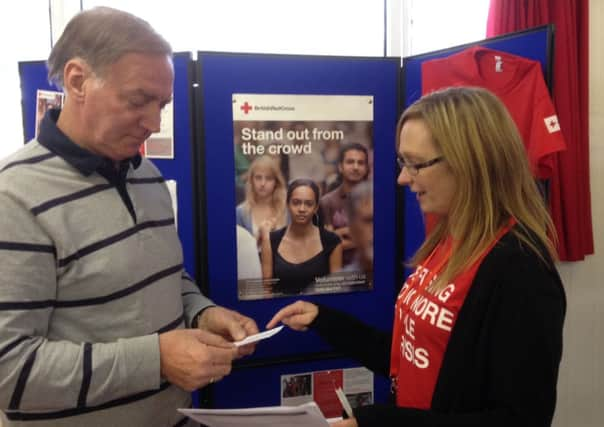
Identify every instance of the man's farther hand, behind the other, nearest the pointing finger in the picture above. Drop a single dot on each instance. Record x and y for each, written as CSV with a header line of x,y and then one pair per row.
x,y
230,325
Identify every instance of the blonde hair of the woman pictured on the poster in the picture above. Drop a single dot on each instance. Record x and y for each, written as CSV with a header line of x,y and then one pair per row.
x,y
279,192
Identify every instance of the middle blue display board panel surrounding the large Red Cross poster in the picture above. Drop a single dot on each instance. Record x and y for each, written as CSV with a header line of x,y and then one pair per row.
x,y
222,75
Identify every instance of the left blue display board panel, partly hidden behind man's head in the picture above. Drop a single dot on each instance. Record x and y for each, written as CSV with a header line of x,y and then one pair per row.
x,y
33,76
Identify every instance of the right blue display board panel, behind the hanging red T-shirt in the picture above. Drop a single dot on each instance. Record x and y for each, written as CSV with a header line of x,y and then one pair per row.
x,y
535,44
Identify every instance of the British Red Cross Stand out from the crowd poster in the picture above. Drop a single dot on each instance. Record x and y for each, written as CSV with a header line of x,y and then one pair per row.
x,y
304,194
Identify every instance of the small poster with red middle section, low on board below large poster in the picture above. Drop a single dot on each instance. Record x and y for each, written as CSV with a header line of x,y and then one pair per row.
x,y
320,386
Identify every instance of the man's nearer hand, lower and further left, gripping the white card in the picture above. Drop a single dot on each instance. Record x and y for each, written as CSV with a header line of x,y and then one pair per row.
x,y
191,358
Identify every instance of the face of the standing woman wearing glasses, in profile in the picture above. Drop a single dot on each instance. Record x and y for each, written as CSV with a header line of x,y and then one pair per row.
x,y
434,186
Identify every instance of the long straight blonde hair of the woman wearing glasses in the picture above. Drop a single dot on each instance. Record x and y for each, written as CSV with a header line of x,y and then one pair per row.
x,y
484,151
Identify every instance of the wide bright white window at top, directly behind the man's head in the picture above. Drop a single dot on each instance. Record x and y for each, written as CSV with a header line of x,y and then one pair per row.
x,y
322,27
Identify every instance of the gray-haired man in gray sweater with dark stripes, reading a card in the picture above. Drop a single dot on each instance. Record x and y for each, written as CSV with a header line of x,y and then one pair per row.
x,y
99,322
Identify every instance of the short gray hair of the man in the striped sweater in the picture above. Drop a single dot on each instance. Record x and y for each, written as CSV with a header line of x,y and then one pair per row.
x,y
101,36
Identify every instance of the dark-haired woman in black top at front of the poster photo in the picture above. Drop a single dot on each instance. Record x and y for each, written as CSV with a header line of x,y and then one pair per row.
x,y
297,254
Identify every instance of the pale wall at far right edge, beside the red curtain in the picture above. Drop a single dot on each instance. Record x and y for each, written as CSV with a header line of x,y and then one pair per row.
x,y
581,384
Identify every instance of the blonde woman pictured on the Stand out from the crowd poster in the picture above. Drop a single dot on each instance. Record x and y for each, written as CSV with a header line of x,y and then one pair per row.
x,y
264,204
